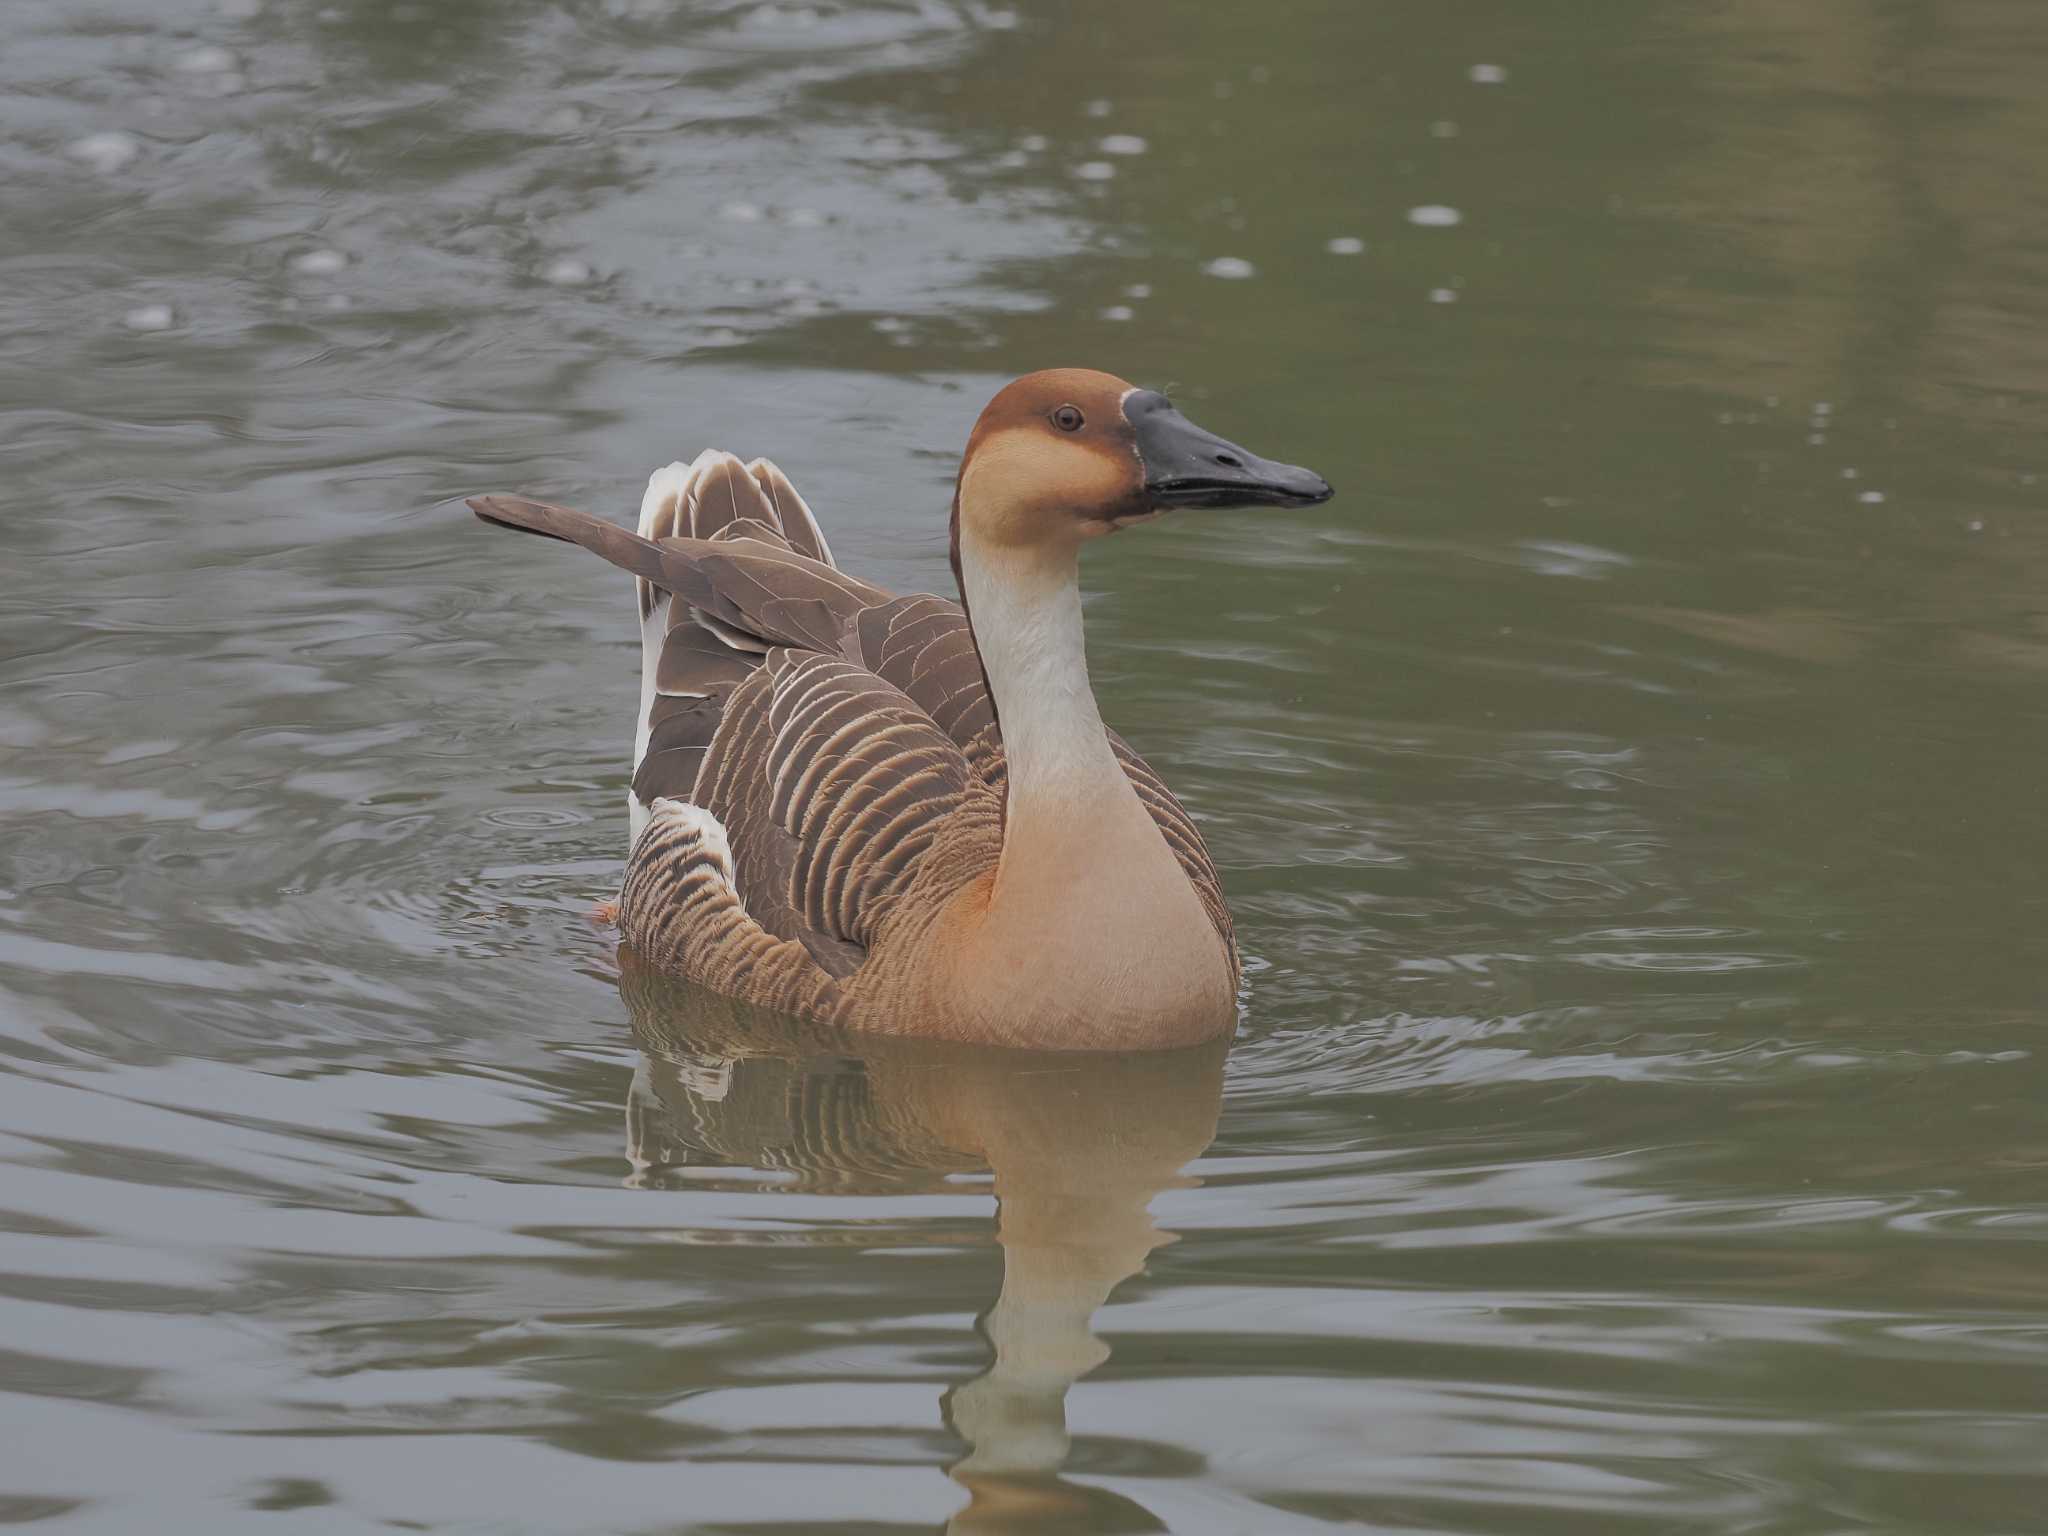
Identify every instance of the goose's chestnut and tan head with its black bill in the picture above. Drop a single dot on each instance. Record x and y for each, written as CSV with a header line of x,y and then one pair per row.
x,y
1070,454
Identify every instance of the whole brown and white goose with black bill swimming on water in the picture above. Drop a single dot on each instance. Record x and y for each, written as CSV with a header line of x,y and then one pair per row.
x,y
904,814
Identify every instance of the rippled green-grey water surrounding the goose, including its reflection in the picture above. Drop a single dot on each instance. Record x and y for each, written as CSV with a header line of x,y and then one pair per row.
x,y
1629,790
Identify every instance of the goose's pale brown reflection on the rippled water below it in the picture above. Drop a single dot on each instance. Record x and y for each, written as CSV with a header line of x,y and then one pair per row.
x,y
1078,1148
